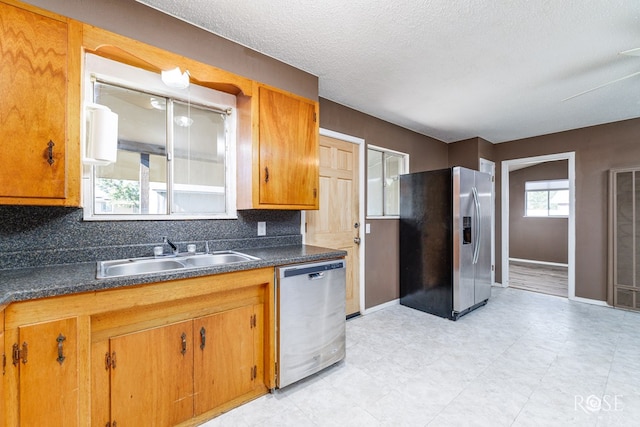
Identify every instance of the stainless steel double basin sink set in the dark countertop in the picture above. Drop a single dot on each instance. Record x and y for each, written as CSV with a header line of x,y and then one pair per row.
x,y
135,266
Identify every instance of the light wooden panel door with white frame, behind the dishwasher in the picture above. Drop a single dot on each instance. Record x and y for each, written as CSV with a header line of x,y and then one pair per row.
x,y
337,224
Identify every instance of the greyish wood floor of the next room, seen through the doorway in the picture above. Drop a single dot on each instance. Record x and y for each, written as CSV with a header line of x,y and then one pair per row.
x,y
543,278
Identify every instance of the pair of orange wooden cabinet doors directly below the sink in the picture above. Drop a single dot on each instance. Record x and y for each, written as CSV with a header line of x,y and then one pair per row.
x,y
166,375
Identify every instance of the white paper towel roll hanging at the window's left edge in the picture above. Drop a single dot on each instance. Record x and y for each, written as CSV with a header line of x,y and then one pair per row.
x,y
101,137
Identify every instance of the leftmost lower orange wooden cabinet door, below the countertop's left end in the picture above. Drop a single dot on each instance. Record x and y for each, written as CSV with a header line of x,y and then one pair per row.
x,y
48,383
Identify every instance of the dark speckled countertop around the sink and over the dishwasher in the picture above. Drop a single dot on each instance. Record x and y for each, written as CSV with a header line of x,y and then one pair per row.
x,y
31,283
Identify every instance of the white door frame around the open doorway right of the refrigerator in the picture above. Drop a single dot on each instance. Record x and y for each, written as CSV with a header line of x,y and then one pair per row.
x,y
509,165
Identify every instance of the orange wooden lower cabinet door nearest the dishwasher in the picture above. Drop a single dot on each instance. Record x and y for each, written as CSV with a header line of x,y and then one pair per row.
x,y
225,362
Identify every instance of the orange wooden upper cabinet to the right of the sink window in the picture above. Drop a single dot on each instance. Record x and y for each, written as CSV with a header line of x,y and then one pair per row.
x,y
281,170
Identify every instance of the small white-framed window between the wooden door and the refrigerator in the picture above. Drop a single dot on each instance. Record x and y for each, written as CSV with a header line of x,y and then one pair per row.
x,y
384,168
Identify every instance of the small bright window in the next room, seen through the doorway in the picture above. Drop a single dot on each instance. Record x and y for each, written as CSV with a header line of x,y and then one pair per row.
x,y
547,198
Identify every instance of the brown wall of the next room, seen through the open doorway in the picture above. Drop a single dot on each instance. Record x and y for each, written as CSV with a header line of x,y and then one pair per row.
x,y
539,239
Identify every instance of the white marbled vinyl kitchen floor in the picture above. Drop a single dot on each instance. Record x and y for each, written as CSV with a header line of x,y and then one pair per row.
x,y
524,359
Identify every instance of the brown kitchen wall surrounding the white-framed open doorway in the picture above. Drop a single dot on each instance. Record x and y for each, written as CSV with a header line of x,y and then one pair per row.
x,y
597,149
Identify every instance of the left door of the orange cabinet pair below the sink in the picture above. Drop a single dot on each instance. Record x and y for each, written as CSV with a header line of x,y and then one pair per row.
x,y
152,376
